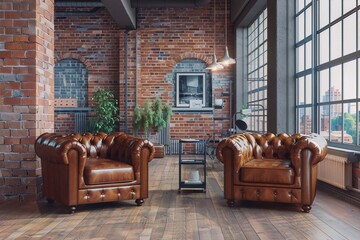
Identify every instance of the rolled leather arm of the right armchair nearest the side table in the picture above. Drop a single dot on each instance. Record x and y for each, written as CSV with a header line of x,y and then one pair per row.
x,y
239,146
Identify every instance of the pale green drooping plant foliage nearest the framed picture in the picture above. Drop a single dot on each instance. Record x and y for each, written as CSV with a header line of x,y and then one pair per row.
x,y
152,116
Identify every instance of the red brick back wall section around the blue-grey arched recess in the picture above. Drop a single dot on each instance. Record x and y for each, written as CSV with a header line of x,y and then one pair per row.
x,y
94,40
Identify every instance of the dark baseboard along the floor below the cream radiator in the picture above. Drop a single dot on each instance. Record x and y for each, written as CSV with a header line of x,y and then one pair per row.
x,y
349,196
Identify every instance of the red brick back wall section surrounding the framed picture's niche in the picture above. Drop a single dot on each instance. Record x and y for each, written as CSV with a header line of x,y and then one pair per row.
x,y
164,38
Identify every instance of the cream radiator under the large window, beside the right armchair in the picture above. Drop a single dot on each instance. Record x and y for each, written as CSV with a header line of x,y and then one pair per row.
x,y
335,169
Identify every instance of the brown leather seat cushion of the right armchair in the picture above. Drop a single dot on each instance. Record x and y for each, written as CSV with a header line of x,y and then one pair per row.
x,y
272,171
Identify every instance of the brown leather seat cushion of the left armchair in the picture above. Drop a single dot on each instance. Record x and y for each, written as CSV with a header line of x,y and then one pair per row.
x,y
102,170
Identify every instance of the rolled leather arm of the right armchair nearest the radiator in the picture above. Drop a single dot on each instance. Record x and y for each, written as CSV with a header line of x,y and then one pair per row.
x,y
313,142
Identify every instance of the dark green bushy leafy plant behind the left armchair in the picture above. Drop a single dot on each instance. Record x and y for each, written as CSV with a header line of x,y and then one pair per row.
x,y
106,111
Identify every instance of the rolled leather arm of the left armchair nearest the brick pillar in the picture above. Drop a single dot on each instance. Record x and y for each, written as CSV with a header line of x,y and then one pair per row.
x,y
53,147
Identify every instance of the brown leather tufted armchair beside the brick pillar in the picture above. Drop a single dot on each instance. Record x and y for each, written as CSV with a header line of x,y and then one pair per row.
x,y
81,169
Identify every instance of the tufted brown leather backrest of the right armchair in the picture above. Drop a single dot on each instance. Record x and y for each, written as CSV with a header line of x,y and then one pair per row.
x,y
273,146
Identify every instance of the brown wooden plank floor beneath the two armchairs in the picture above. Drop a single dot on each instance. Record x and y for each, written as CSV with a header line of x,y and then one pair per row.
x,y
168,214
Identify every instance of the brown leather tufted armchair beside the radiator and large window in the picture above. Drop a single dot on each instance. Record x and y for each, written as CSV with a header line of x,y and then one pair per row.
x,y
271,168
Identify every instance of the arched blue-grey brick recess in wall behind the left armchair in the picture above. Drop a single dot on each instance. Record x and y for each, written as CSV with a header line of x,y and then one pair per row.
x,y
71,81
